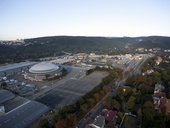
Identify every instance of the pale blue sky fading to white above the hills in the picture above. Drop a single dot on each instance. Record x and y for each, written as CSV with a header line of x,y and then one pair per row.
x,y
21,19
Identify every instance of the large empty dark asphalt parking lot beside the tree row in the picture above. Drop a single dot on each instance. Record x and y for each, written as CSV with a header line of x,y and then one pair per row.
x,y
71,90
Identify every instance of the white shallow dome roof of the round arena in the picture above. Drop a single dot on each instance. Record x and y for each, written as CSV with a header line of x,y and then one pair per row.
x,y
43,67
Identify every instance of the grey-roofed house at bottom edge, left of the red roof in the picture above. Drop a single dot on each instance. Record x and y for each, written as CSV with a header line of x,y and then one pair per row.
x,y
99,122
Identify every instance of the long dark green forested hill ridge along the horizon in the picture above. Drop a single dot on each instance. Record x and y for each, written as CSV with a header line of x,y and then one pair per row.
x,y
51,46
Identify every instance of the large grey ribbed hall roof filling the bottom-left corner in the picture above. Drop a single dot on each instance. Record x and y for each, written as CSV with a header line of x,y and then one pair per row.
x,y
23,116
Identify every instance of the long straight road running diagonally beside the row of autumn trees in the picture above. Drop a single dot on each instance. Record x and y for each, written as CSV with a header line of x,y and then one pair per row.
x,y
97,109
